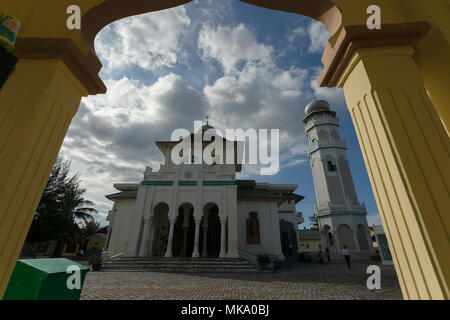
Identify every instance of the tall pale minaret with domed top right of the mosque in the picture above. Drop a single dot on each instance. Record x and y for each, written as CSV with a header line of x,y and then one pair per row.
x,y
342,219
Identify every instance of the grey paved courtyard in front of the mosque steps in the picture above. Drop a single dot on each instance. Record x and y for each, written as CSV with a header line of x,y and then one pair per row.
x,y
301,281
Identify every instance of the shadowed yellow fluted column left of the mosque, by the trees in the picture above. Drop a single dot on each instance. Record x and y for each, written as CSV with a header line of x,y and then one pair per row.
x,y
37,104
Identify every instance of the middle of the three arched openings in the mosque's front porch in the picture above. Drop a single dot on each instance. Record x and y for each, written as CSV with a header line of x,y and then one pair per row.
x,y
184,231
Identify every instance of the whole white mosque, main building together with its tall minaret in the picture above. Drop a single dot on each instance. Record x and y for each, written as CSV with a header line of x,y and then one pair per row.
x,y
203,211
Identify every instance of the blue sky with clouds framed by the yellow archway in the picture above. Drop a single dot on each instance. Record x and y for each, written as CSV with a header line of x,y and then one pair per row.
x,y
241,65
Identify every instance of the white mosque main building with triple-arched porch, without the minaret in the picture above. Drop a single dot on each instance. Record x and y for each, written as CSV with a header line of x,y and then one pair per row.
x,y
201,211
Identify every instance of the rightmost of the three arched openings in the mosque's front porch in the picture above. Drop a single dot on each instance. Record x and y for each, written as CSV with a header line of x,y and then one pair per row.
x,y
210,232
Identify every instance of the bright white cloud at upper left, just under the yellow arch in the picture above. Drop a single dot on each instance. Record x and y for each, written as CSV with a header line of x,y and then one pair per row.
x,y
138,40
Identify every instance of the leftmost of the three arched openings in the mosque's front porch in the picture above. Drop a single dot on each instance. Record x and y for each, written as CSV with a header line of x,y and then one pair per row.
x,y
160,229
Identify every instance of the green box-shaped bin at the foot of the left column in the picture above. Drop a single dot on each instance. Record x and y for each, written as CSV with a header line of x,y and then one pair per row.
x,y
45,279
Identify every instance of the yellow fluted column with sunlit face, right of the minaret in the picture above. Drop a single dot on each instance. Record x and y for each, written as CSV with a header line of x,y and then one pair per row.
x,y
406,151
